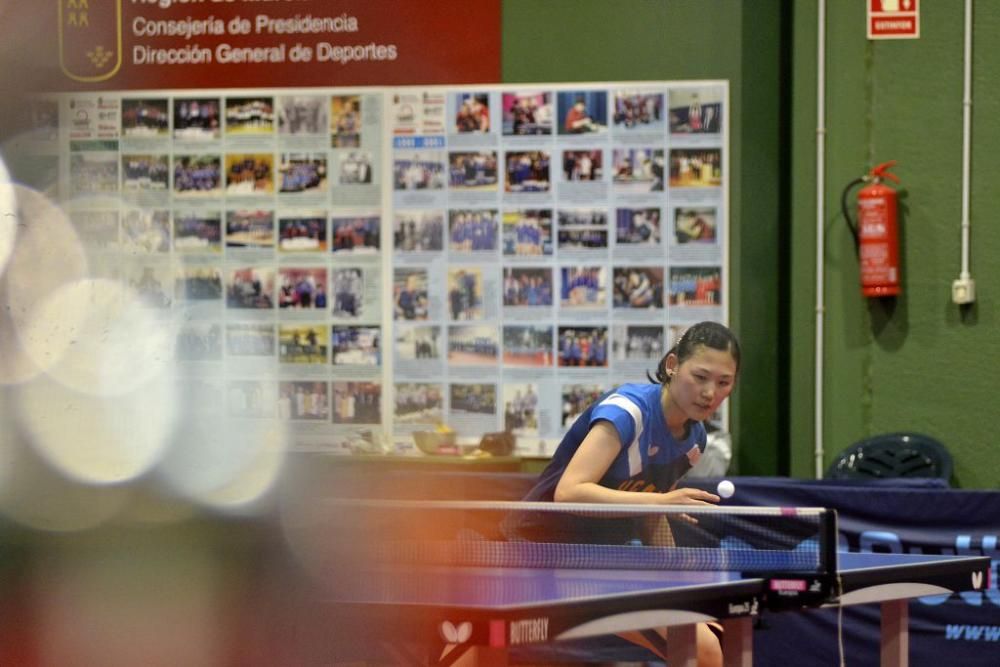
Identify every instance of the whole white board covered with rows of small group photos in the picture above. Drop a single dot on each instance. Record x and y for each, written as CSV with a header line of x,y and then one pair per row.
x,y
361,264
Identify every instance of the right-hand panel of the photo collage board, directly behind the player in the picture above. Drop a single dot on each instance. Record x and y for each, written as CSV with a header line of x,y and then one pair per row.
x,y
549,243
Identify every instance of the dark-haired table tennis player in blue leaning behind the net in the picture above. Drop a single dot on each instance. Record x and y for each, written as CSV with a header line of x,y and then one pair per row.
x,y
634,443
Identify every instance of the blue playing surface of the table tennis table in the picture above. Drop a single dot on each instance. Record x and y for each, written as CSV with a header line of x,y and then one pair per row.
x,y
490,588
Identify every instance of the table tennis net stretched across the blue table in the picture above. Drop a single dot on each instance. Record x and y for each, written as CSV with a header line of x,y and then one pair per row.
x,y
553,536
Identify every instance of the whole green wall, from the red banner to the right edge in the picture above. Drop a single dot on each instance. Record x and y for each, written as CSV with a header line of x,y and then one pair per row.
x,y
916,363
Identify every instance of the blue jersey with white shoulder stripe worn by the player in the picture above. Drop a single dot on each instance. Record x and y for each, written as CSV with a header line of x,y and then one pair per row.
x,y
650,459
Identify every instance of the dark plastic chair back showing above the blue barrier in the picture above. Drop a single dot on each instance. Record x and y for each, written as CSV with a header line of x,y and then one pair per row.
x,y
893,455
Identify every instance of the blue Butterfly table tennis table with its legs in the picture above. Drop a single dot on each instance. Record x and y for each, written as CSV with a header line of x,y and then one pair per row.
x,y
476,615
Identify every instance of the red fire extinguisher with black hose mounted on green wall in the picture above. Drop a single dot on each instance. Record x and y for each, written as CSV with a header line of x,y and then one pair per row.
x,y
877,232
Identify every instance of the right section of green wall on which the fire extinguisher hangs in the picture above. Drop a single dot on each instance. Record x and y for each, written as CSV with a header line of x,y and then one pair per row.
x,y
920,363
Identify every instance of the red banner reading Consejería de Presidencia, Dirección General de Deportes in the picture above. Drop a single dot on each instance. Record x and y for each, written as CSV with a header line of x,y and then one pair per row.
x,y
170,44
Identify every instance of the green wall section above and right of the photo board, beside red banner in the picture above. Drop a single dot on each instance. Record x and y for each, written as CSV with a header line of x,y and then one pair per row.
x,y
631,40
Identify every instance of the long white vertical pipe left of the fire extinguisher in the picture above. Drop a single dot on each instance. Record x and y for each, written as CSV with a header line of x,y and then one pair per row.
x,y
820,227
